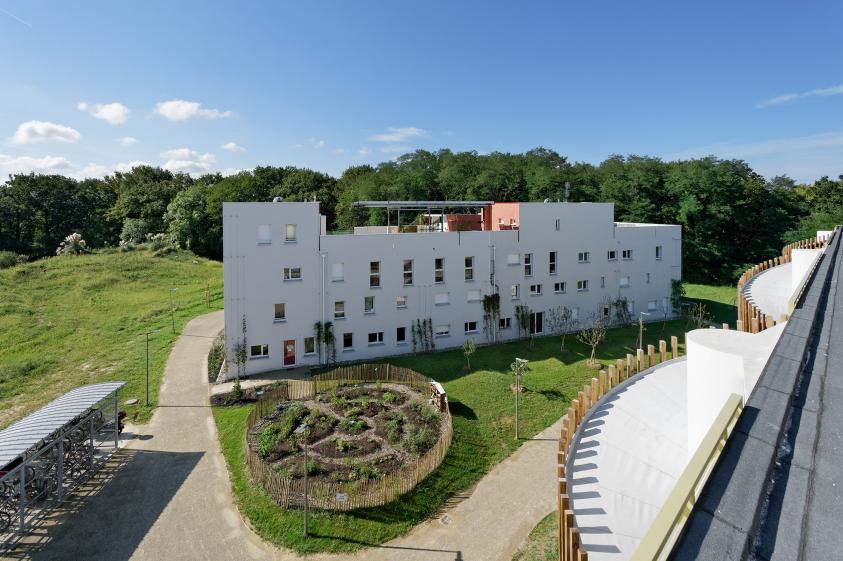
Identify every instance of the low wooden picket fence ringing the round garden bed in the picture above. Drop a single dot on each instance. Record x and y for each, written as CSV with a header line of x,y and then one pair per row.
x,y
344,496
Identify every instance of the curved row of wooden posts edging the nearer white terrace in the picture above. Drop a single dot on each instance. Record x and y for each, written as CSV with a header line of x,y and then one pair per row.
x,y
570,546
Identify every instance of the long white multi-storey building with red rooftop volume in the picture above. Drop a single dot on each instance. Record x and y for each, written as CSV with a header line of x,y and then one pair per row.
x,y
284,273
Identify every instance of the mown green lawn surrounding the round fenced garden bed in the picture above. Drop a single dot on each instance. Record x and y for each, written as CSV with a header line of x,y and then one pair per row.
x,y
483,409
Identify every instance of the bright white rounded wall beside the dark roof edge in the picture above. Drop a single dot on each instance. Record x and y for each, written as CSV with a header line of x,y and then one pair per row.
x,y
720,363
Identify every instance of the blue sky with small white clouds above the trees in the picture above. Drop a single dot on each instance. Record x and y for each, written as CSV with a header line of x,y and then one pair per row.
x,y
86,88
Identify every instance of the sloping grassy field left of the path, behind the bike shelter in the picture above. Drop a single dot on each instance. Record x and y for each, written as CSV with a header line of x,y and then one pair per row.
x,y
76,320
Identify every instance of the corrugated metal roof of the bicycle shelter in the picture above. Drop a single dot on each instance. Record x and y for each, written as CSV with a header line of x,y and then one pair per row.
x,y
29,432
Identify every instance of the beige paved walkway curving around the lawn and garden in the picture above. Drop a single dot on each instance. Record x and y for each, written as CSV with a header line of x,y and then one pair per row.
x,y
170,497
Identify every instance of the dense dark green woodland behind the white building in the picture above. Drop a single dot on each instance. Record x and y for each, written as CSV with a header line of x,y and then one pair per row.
x,y
731,216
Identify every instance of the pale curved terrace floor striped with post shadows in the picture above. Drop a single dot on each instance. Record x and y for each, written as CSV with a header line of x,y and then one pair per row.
x,y
630,453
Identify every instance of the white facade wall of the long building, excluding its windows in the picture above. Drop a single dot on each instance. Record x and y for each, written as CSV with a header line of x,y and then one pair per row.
x,y
253,282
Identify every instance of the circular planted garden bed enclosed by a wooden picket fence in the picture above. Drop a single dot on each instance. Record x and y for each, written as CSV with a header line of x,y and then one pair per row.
x,y
367,443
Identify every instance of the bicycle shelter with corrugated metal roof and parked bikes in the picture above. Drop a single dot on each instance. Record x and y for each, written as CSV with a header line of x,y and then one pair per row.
x,y
48,454
